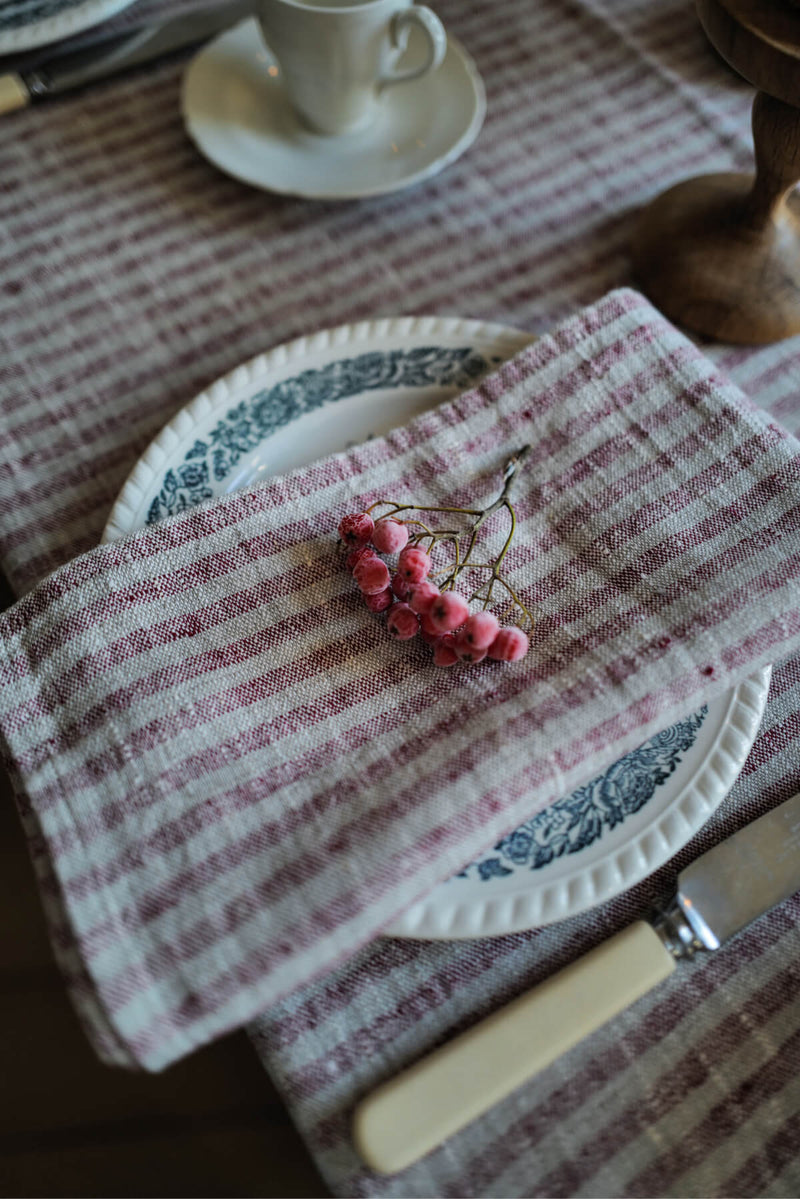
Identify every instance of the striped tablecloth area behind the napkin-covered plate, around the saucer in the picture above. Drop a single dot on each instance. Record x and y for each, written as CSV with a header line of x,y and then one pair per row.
x,y
133,274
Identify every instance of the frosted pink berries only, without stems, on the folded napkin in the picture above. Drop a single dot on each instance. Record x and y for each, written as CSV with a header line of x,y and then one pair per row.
x,y
414,605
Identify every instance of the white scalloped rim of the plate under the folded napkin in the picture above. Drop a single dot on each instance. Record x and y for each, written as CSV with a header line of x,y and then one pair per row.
x,y
435,918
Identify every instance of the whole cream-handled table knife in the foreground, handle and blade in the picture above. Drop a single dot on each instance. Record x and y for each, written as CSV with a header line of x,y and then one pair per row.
x,y
718,896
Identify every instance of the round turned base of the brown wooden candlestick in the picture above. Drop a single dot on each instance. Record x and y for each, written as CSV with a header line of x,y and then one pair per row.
x,y
712,264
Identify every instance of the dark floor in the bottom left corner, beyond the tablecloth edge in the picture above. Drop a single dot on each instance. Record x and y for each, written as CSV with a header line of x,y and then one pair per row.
x,y
70,1126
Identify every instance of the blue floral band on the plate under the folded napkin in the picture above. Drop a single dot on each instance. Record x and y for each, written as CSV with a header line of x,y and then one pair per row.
x,y
568,827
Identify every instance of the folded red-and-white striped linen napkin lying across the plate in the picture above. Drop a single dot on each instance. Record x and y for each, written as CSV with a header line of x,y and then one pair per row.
x,y
231,776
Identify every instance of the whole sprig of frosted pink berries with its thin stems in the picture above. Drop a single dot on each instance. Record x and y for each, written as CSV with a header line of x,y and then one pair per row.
x,y
413,602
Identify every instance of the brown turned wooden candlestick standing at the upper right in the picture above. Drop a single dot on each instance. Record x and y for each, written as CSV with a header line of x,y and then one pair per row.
x,y
721,254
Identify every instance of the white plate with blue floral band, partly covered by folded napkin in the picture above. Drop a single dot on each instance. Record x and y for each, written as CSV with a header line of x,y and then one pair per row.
x,y
322,394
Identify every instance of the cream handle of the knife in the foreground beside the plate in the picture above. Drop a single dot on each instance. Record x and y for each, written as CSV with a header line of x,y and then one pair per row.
x,y
413,1113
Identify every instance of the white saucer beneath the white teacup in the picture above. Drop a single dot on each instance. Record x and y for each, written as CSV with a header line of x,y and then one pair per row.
x,y
239,118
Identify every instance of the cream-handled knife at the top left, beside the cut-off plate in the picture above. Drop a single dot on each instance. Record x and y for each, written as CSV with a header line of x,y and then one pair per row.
x,y
64,69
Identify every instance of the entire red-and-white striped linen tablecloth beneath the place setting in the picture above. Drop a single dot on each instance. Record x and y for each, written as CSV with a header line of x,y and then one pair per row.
x,y
133,275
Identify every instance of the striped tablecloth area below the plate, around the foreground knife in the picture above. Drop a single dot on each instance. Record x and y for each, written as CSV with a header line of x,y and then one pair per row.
x,y
693,1092
